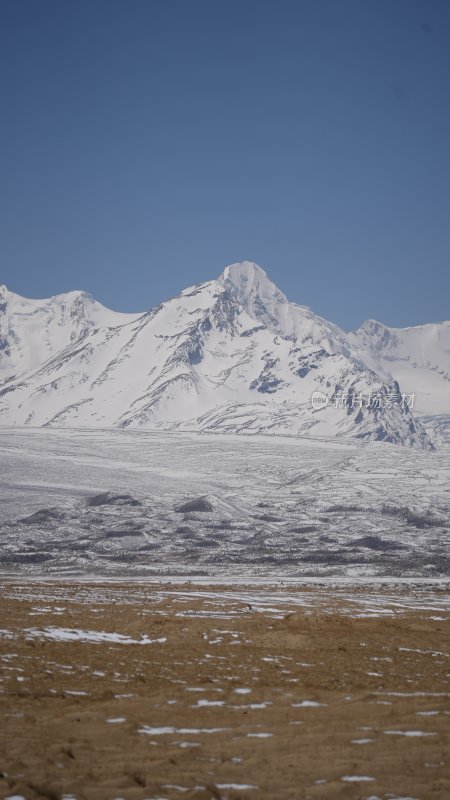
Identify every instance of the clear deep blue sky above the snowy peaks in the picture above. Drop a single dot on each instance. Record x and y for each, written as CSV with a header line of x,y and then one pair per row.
x,y
146,144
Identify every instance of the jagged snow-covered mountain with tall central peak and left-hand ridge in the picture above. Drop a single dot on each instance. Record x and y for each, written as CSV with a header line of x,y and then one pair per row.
x,y
232,354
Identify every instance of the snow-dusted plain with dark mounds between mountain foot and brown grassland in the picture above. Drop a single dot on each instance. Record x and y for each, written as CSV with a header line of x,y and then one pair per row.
x,y
114,502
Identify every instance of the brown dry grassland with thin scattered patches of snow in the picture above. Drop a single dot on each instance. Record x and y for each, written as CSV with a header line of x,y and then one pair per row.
x,y
239,701
